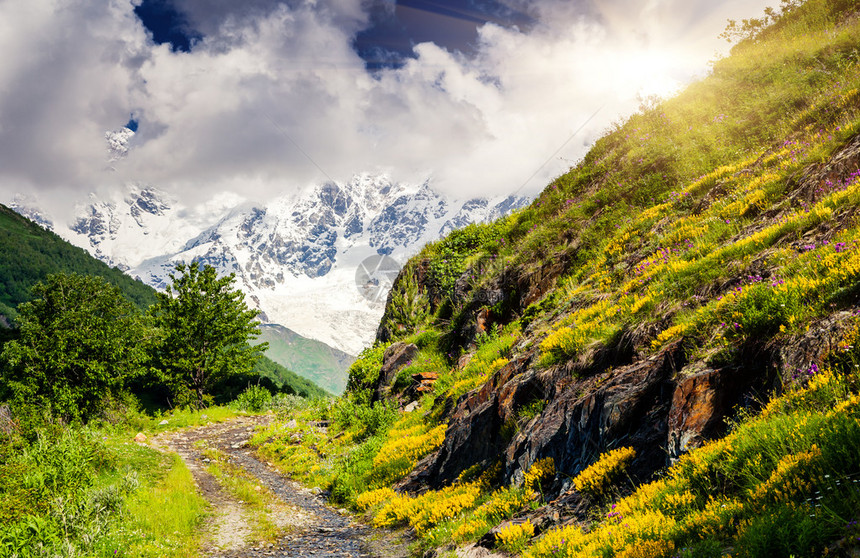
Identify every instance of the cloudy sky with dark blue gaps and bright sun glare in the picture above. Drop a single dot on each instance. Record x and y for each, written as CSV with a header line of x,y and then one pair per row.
x,y
263,97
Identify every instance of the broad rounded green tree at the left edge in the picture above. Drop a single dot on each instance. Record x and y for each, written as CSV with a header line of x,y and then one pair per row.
x,y
80,340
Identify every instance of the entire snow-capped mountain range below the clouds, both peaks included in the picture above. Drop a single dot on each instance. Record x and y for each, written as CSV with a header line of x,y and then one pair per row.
x,y
295,257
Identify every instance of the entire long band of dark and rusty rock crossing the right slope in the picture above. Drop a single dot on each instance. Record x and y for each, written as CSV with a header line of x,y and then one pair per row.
x,y
659,405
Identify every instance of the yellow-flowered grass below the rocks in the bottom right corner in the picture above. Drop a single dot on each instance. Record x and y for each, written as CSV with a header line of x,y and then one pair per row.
x,y
785,482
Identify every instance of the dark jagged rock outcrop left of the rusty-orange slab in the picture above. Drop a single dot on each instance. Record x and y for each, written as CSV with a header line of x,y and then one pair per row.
x,y
582,418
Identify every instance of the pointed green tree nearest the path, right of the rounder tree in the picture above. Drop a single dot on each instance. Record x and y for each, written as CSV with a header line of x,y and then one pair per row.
x,y
205,330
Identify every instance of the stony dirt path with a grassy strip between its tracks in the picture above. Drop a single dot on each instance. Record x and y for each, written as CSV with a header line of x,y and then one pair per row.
x,y
312,528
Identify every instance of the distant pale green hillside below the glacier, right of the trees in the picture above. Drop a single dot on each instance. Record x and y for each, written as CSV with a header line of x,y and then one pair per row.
x,y
324,365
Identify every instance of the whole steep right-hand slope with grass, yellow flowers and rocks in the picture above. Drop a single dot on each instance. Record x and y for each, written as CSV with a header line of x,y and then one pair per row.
x,y
683,305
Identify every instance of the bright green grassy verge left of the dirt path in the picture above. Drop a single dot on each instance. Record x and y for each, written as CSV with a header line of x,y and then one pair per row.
x,y
86,492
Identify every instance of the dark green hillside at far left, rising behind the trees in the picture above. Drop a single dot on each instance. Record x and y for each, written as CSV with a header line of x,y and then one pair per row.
x,y
29,253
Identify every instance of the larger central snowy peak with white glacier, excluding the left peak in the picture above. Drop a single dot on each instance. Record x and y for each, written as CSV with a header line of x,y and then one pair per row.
x,y
297,257
